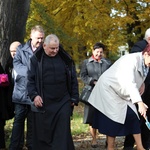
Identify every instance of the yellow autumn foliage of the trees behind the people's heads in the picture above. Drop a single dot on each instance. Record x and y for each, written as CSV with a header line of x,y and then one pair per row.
x,y
81,23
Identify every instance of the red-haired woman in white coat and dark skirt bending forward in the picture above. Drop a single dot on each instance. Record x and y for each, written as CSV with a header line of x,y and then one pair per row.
x,y
116,94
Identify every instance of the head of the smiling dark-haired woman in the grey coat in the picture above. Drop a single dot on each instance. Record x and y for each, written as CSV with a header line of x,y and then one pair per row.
x,y
98,50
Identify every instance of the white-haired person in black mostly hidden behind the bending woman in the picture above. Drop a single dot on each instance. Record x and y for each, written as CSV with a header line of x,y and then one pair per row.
x,y
145,132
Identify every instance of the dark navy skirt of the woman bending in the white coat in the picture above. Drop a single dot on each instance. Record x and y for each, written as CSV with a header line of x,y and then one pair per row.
x,y
111,128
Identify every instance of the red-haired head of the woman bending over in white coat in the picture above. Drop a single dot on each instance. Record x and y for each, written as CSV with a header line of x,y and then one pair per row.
x,y
146,55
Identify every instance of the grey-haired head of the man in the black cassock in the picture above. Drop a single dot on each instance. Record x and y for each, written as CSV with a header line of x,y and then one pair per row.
x,y
51,45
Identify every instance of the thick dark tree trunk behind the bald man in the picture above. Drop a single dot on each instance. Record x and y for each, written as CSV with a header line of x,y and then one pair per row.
x,y
13,17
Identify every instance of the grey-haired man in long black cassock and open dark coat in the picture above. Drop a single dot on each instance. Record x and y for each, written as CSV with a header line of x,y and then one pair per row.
x,y
53,88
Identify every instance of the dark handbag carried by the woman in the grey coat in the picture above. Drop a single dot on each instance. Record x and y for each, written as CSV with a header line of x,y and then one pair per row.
x,y
85,94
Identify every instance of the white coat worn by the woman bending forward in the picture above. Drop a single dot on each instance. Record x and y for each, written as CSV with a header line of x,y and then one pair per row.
x,y
118,87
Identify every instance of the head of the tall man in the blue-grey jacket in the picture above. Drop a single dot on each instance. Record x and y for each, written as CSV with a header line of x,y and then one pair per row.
x,y
37,36
